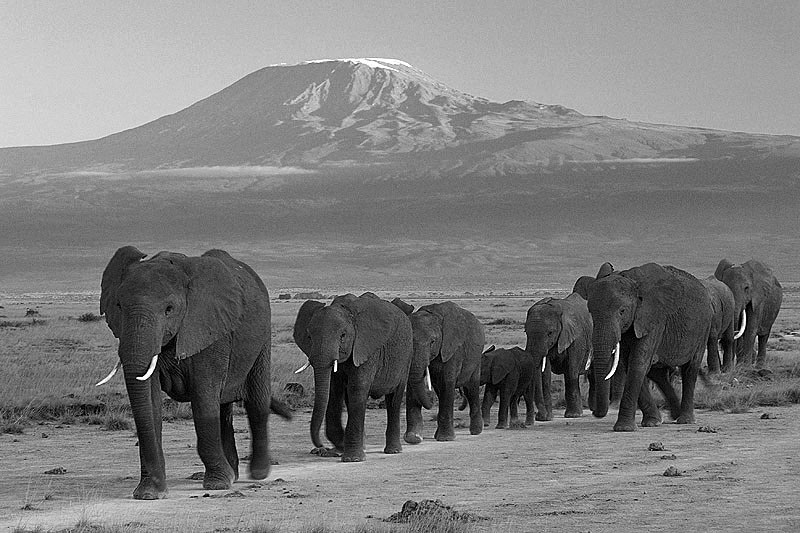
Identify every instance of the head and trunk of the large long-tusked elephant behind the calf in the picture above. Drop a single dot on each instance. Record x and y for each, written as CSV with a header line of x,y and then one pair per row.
x,y
638,302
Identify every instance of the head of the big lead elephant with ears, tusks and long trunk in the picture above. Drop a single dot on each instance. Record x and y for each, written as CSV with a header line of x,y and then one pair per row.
x,y
170,305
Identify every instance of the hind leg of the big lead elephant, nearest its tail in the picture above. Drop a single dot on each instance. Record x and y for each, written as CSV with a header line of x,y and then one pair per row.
x,y
256,405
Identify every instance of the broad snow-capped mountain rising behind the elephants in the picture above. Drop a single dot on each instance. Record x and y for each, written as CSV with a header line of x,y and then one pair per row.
x,y
337,171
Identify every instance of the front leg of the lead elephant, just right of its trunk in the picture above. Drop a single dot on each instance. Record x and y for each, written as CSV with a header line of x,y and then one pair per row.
x,y
219,474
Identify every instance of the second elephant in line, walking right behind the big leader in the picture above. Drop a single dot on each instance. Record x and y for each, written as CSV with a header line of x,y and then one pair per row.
x,y
359,346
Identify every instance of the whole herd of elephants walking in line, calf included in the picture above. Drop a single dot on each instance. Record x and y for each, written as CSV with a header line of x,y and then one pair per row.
x,y
199,329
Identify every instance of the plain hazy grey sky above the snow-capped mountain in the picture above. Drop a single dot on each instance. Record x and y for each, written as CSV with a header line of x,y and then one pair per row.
x,y
83,69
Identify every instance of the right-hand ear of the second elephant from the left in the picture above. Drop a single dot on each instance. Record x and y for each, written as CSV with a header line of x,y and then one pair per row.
x,y
374,324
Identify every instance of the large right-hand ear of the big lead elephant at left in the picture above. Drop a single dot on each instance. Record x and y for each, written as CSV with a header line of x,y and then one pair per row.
x,y
214,304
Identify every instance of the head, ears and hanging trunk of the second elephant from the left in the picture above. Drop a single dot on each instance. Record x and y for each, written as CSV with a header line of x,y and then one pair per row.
x,y
350,331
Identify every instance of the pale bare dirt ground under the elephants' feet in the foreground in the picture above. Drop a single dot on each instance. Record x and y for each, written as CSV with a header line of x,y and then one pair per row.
x,y
566,475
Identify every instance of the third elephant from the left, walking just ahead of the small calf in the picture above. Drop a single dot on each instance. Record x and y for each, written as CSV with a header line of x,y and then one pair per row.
x,y
451,340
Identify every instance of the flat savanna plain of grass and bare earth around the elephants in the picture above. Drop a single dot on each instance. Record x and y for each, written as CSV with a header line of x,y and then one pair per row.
x,y
70,463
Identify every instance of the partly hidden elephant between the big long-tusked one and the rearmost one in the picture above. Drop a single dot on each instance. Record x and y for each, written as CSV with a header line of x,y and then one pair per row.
x,y
722,332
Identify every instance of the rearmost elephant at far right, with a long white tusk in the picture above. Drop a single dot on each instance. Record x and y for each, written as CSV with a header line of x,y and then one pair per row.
x,y
757,295
